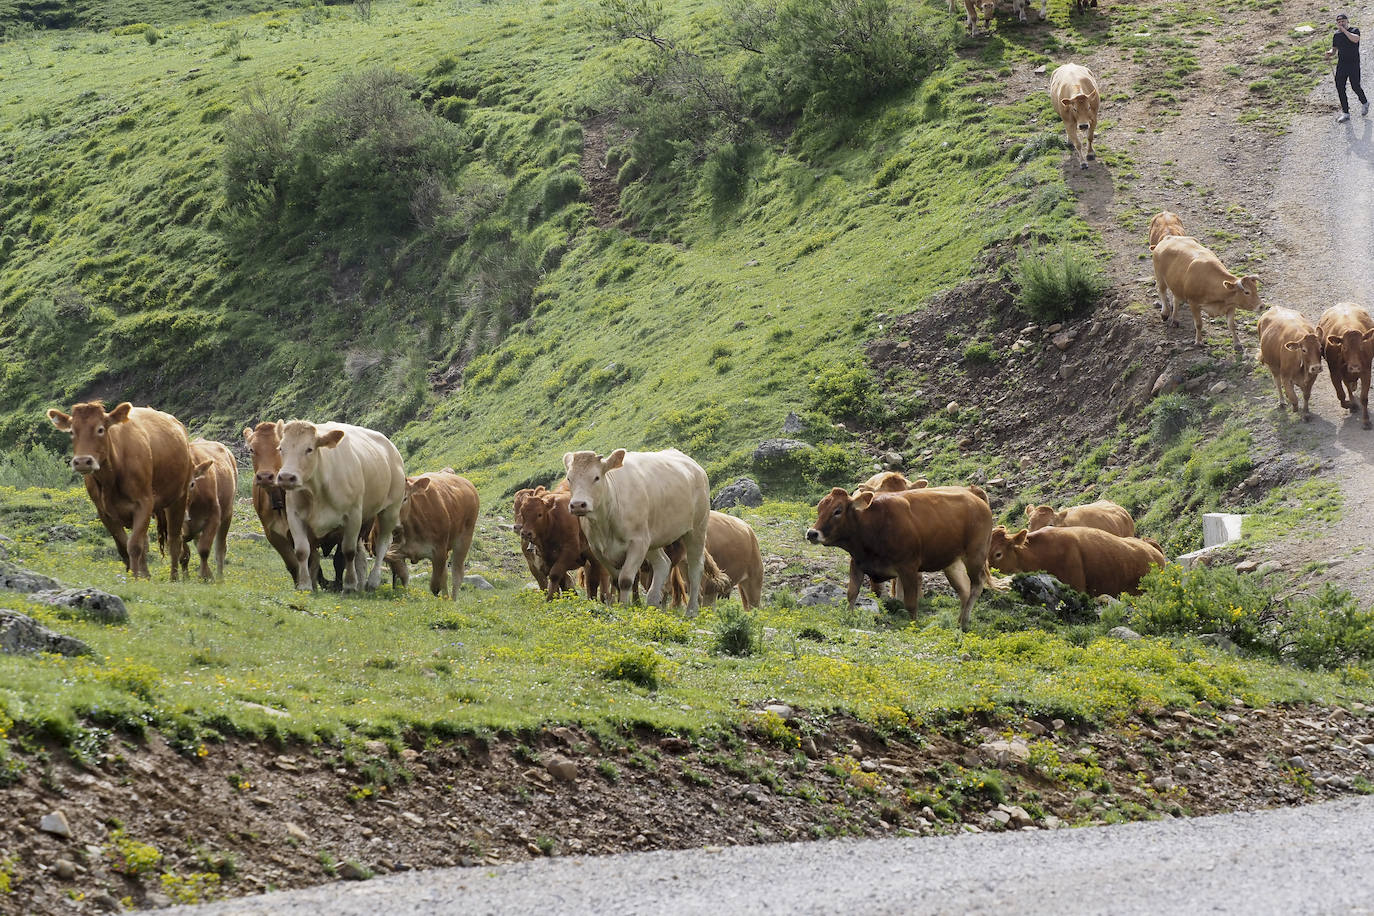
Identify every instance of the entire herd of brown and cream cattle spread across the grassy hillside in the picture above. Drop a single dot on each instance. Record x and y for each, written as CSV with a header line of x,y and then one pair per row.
x,y
644,520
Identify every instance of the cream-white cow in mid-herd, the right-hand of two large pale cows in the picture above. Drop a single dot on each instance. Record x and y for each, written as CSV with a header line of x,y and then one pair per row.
x,y
633,505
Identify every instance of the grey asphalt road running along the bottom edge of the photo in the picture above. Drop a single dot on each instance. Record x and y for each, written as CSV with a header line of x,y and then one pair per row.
x,y
1287,862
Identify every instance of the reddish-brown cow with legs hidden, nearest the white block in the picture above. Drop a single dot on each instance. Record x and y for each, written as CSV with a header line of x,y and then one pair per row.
x,y
1083,558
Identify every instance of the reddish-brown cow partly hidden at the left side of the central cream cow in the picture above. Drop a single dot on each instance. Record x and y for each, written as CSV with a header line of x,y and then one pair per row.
x,y
556,538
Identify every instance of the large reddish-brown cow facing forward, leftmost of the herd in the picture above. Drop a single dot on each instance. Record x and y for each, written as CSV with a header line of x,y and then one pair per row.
x,y
137,465
